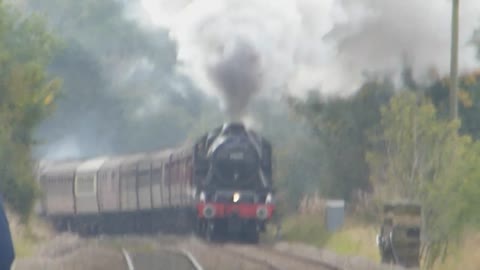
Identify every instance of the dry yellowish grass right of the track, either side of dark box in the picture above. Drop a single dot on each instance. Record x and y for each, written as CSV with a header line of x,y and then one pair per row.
x,y
359,239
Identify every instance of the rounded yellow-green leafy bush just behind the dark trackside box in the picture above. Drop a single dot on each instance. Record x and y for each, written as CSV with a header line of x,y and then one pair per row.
x,y
414,148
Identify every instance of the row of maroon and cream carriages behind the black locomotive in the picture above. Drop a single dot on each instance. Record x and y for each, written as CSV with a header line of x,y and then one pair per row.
x,y
121,194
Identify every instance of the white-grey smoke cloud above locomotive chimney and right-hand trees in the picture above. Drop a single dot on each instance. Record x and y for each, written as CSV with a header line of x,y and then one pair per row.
x,y
239,48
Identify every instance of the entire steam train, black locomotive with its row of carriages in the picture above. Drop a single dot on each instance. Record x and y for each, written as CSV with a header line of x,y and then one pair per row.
x,y
219,186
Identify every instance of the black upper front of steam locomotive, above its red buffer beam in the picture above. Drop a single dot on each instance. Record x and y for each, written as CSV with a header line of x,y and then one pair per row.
x,y
233,157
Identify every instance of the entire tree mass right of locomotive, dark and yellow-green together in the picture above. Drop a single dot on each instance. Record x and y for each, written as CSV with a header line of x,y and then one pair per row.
x,y
403,147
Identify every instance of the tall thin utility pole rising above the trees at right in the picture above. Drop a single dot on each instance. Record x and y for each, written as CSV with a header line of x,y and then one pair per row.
x,y
454,62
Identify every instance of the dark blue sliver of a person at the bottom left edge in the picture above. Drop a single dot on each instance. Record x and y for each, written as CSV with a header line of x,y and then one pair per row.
x,y
7,253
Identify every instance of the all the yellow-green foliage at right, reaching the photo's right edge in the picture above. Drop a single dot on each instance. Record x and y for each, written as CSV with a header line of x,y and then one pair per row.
x,y
422,157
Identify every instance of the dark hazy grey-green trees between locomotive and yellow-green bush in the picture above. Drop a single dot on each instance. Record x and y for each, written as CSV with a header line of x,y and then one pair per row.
x,y
341,125
